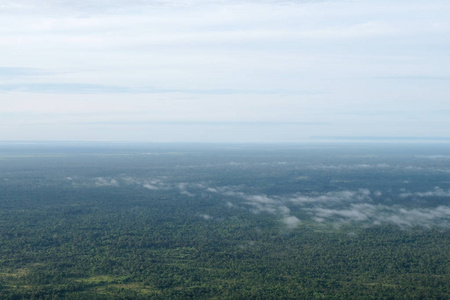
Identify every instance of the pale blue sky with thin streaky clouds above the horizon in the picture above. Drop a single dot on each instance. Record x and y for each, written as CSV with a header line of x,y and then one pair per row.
x,y
223,71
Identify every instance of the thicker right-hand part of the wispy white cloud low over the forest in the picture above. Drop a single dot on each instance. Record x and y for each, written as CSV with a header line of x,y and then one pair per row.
x,y
341,207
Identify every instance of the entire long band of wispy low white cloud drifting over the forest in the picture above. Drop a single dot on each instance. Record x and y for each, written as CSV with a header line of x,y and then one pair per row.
x,y
360,206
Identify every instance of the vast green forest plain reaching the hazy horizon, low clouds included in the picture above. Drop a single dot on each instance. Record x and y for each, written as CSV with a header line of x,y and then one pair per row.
x,y
224,222
